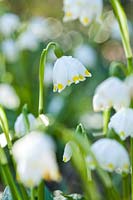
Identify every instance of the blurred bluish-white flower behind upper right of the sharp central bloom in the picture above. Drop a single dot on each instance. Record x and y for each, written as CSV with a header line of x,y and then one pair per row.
x,y
86,54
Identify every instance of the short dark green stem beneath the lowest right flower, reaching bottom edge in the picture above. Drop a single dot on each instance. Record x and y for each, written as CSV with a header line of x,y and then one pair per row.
x,y
125,187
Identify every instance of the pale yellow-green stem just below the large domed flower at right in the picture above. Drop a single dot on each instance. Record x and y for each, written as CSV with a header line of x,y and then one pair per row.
x,y
106,117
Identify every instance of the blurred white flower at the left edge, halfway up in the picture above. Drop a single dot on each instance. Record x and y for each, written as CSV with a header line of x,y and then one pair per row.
x,y
8,96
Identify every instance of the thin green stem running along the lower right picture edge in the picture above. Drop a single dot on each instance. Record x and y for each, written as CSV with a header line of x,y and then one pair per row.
x,y
131,149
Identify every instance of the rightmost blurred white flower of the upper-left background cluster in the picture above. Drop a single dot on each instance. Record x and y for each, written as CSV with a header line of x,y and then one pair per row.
x,y
37,26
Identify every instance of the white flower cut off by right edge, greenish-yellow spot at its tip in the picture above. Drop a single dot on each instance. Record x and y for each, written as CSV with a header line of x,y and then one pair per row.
x,y
122,123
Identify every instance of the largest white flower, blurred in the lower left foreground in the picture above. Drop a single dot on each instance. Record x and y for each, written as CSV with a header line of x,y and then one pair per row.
x,y
35,158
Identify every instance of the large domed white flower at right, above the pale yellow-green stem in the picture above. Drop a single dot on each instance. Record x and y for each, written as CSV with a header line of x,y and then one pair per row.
x,y
111,93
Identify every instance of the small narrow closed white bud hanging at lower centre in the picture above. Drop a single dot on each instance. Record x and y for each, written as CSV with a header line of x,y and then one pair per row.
x,y
67,152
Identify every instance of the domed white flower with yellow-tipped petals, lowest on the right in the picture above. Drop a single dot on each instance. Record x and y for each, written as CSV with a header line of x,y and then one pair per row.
x,y
110,155
